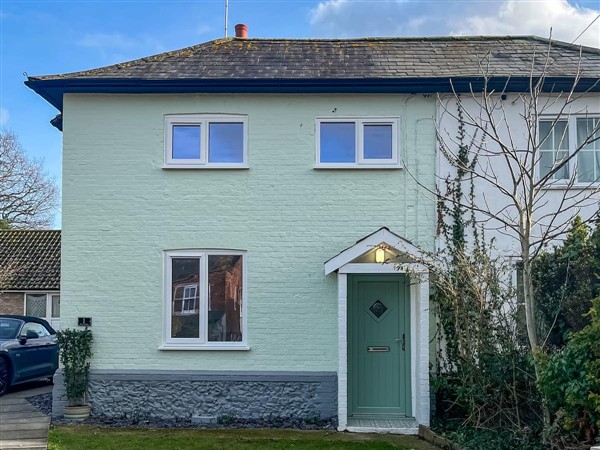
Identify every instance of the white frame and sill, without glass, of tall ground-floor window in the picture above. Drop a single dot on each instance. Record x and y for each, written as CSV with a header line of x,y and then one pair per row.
x,y
202,342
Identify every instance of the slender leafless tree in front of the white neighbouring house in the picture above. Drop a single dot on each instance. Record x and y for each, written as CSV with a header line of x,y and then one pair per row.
x,y
530,187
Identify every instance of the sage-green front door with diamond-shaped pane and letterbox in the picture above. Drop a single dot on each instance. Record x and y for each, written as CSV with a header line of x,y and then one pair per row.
x,y
378,345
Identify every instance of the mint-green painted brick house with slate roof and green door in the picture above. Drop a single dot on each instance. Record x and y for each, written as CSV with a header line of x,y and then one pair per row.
x,y
226,211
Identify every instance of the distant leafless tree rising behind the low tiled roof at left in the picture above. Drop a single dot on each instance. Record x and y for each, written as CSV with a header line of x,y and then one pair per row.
x,y
28,195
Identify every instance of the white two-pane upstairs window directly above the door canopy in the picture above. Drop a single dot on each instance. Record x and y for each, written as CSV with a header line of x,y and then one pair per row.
x,y
358,142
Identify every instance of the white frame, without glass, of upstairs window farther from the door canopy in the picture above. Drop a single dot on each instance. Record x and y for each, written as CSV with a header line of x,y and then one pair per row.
x,y
202,120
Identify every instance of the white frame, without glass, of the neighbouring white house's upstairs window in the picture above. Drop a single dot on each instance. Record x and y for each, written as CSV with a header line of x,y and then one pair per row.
x,y
572,136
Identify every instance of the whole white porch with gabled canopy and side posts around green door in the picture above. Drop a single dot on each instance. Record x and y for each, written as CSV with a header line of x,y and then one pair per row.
x,y
384,252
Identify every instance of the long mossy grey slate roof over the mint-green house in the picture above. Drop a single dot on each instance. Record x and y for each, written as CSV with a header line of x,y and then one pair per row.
x,y
369,58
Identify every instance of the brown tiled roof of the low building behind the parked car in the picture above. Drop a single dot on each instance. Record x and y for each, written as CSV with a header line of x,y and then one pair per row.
x,y
34,256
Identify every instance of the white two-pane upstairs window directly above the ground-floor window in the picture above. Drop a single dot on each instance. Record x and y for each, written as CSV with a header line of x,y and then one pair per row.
x,y
200,141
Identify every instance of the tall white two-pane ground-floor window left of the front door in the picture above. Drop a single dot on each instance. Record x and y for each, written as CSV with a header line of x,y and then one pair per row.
x,y
205,300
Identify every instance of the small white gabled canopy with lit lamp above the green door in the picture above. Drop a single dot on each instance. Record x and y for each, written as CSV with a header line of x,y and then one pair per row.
x,y
380,247
